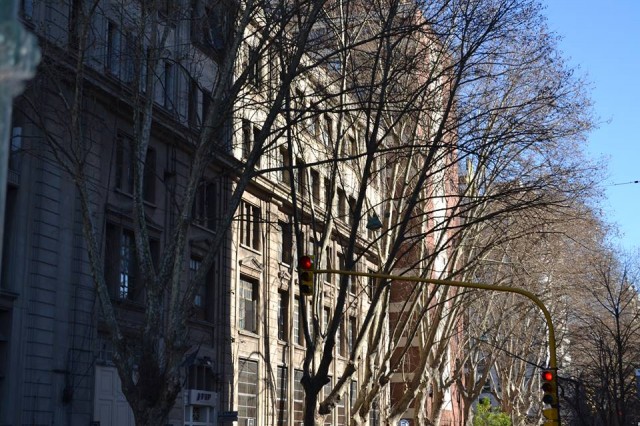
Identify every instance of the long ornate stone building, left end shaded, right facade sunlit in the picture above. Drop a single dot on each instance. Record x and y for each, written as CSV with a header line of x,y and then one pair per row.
x,y
245,325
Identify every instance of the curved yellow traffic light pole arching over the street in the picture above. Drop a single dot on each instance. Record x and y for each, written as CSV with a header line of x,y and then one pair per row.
x,y
553,360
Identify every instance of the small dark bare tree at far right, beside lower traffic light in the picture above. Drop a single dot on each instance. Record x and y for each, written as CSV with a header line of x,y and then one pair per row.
x,y
604,338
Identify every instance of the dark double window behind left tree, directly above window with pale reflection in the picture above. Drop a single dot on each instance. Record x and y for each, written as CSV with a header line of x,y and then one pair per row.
x,y
125,169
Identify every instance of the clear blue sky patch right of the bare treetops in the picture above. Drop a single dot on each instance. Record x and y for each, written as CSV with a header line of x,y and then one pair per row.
x,y
602,38
